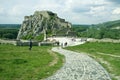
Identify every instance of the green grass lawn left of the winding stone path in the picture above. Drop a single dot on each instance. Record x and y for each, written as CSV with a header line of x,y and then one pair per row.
x,y
18,63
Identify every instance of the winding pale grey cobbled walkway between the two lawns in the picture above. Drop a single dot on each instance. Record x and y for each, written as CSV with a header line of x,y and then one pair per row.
x,y
79,67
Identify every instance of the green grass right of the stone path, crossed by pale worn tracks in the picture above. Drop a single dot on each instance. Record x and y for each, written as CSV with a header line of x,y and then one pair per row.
x,y
111,64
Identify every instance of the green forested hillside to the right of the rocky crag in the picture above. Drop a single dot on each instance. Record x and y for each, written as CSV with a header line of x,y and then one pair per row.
x,y
109,29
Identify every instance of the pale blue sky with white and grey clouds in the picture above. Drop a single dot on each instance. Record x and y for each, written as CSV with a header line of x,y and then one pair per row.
x,y
74,11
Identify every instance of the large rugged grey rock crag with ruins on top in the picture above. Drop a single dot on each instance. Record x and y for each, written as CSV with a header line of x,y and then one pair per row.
x,y
34,25
